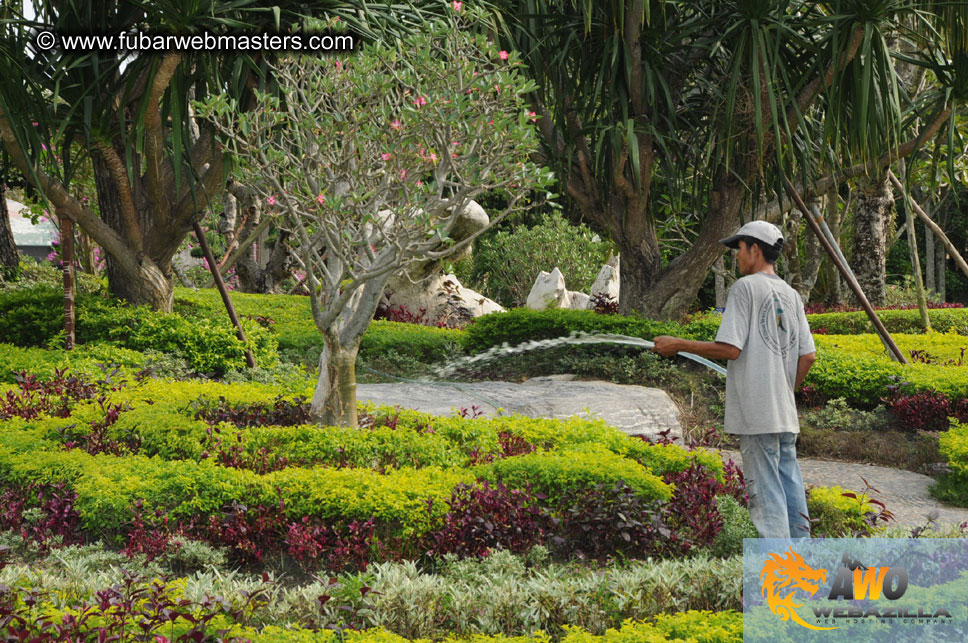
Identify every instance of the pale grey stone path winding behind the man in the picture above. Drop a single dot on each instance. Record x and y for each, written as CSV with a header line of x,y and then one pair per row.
x,y
641,410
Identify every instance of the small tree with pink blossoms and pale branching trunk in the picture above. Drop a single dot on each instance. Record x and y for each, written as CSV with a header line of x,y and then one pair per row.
x,y
369,158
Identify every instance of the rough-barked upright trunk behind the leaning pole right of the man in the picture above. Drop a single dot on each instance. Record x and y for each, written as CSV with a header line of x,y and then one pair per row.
x,y
871,219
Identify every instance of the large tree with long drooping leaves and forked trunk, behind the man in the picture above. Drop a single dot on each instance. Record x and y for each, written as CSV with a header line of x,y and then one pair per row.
x,y
714,101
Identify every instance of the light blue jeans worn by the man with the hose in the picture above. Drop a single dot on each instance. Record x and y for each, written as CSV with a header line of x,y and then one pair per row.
x,y
778,503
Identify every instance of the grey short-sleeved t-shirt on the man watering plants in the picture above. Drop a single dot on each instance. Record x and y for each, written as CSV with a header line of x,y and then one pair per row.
x,y
765,319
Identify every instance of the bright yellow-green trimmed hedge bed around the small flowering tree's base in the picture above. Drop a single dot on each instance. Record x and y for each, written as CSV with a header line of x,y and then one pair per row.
x,y
388,472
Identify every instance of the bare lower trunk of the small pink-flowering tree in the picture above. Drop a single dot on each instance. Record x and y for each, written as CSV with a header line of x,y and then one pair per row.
x,y
334,401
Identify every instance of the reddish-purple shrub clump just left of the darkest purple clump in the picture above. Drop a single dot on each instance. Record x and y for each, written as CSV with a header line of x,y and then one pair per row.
x,y
485,517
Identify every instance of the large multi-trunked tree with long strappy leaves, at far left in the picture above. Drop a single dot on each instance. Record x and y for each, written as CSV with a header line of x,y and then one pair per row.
x,y
128,111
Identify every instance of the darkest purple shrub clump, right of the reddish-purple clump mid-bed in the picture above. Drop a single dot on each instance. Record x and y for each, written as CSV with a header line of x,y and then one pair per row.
x,y
607,521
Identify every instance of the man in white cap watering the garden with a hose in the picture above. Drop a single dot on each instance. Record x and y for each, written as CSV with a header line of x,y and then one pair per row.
x,y
765,336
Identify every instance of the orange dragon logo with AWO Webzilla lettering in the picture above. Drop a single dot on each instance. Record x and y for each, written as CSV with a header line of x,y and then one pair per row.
x,y
784,575
